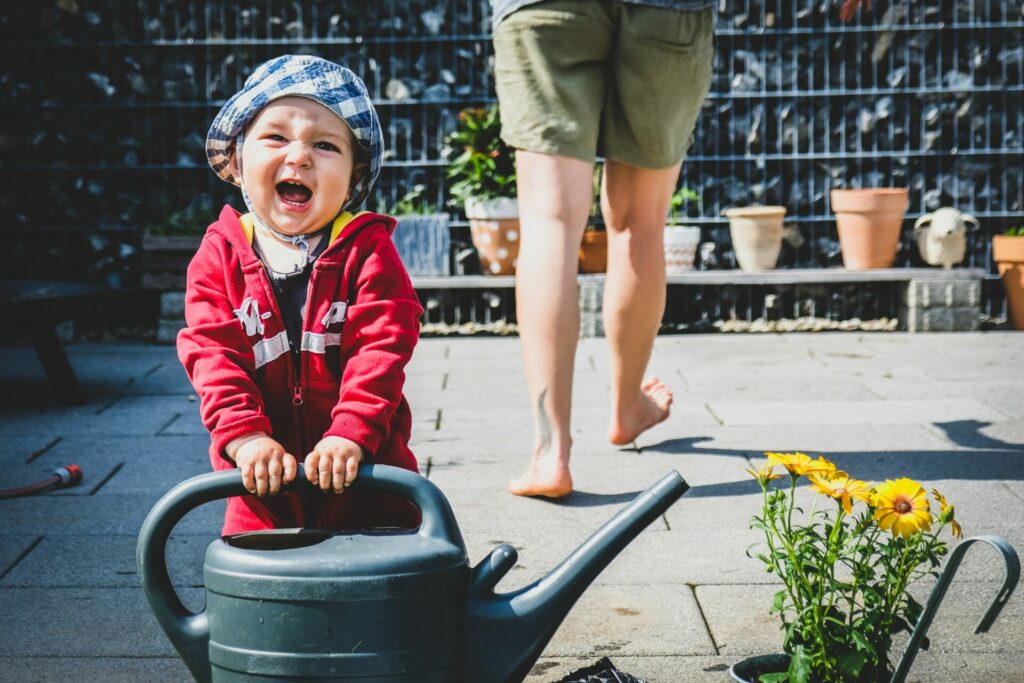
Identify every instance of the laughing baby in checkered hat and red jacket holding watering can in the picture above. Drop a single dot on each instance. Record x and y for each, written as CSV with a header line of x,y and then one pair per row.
x,y
301,315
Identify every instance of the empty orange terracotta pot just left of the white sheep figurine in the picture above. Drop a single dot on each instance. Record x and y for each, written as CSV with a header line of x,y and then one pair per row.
x,y
870,223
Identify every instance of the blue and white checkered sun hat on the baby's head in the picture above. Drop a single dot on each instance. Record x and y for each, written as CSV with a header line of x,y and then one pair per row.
x,y
332,86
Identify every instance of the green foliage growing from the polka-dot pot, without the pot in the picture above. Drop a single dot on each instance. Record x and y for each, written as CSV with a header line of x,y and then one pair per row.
x,y
483,165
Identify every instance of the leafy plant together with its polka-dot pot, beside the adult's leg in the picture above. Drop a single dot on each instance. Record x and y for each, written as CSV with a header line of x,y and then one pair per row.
x,y
483,172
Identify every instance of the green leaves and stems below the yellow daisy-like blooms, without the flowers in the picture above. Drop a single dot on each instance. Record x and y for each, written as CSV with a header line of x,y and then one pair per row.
x,y
844,591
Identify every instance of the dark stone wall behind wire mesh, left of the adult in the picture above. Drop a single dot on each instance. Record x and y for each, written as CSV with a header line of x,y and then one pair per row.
x,y
108,104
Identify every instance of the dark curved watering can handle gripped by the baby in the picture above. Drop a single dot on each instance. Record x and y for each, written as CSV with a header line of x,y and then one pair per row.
x,y
190,631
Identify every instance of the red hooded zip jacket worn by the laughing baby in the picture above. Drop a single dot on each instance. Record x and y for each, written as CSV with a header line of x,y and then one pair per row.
x,y
360,327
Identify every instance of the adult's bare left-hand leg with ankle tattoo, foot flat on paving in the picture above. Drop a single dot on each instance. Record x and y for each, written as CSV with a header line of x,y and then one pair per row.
x,y
554,202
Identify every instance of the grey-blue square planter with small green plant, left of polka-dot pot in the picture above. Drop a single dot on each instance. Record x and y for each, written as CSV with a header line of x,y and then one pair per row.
x,y
422,236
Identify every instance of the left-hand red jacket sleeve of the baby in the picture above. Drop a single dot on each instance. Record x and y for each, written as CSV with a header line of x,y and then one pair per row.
x,y
217,355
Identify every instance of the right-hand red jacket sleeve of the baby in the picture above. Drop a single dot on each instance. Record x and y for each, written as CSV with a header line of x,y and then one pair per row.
x,y
382,327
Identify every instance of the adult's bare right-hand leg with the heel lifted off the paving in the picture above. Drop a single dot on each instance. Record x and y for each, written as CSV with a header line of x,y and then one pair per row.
x,y
635,203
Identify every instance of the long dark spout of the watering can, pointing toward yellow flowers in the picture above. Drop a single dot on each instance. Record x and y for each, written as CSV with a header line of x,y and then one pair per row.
x,y
507,632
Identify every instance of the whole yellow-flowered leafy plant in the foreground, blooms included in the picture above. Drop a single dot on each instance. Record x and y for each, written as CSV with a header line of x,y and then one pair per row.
x,y
846,576
